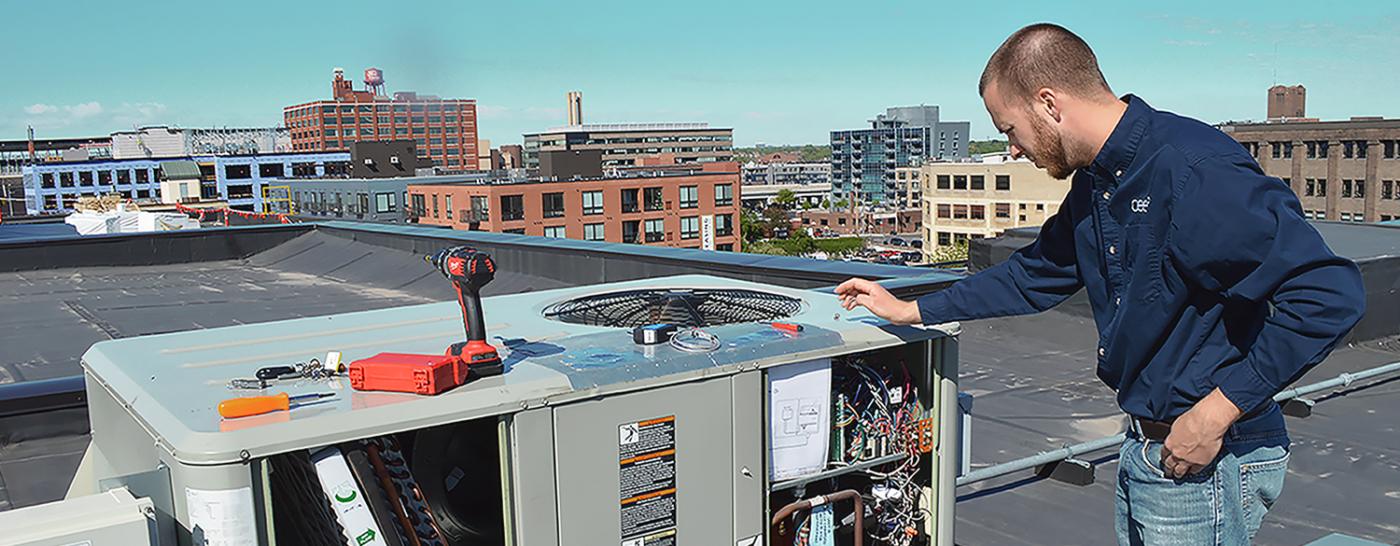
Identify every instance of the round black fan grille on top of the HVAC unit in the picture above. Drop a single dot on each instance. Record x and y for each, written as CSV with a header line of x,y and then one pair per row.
x,y
699,307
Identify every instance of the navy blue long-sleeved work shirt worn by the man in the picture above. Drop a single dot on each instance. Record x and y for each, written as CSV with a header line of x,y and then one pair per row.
x,y
1200,271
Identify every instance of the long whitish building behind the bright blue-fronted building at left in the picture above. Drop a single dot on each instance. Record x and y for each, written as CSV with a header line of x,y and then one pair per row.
x,y
163,142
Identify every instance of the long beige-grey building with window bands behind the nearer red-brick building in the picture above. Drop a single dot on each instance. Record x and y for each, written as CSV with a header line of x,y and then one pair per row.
x,y
624,145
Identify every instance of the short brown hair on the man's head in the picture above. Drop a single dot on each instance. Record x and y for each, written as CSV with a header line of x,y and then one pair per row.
x,y
1045,55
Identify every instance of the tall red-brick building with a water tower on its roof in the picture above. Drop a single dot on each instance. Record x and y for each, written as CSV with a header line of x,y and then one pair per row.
x,y
443,129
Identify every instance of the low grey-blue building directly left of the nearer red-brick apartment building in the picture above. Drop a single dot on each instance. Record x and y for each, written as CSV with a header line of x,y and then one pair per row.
x,y
362,199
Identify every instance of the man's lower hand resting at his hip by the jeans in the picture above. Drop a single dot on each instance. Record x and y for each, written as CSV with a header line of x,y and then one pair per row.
x,y
1198,435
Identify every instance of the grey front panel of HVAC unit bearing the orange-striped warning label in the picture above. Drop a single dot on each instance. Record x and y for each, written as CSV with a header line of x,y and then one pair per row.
x,y
587,449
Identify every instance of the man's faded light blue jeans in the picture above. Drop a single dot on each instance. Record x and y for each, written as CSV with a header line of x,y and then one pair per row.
x,y
1223,505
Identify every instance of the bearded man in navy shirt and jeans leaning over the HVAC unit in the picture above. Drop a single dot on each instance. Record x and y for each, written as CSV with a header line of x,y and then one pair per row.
x,y
1210,290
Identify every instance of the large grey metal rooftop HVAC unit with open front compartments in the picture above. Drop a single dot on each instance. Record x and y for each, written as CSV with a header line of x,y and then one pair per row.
x,y
764,397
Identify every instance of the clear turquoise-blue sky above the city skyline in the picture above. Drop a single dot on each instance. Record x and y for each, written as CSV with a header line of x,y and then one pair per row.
x,y
775,72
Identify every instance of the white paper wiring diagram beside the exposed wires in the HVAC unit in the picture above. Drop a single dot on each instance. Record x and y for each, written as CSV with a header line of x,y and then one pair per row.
x,y
800,418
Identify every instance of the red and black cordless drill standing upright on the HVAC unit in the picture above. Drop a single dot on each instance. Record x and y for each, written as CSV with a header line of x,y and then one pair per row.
x,y
470,271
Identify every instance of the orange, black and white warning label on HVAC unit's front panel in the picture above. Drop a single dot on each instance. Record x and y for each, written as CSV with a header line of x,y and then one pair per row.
x,y
647,482
